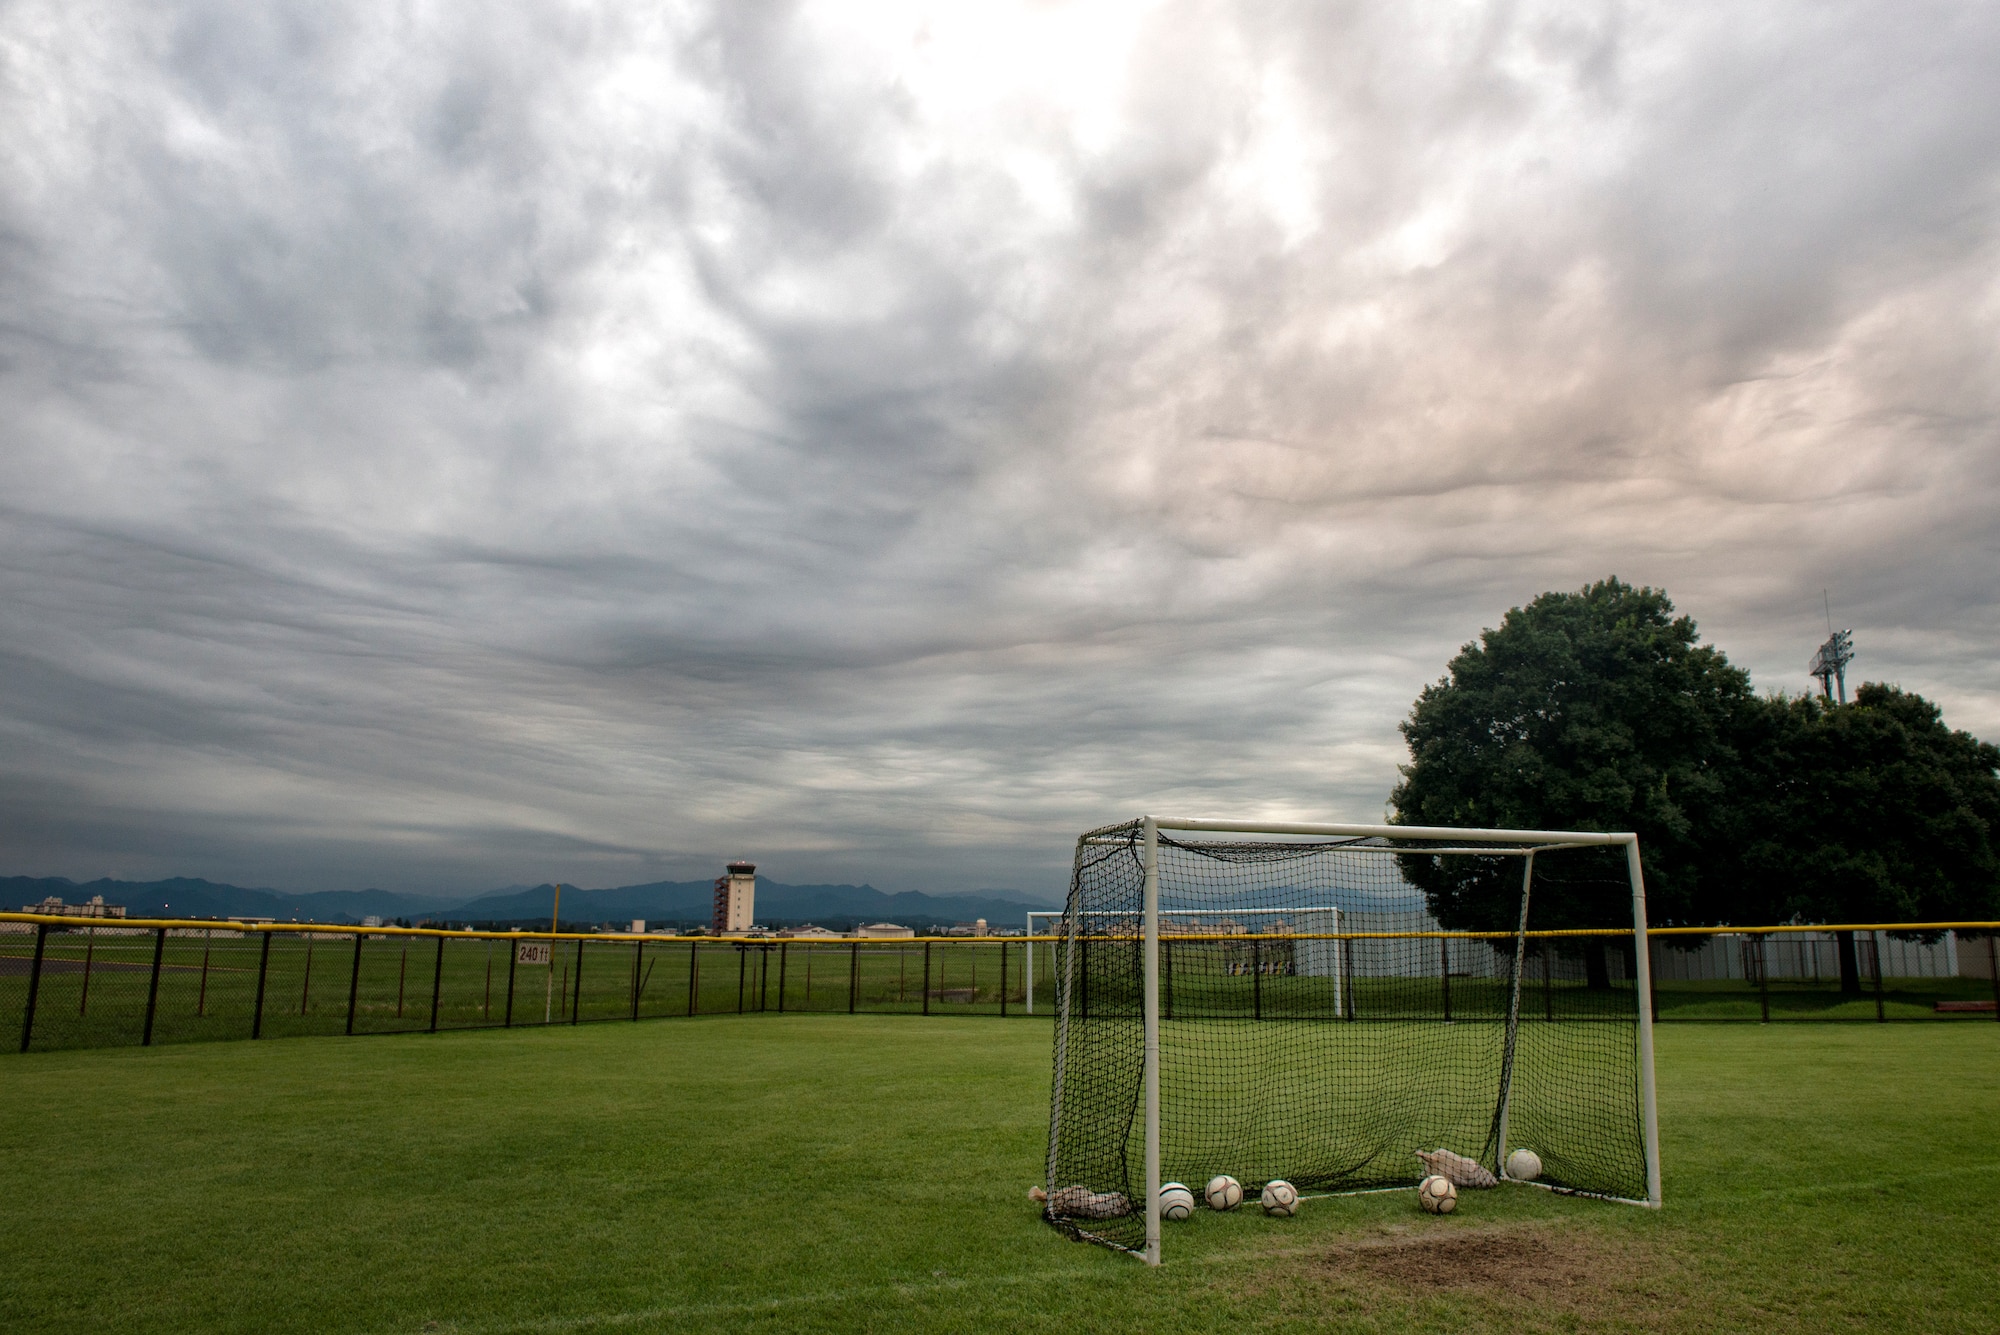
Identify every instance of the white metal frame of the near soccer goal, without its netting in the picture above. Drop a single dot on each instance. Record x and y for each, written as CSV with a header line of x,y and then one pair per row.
x,y
1145,840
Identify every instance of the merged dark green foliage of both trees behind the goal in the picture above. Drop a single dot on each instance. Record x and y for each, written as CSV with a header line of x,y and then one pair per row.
x,y
1601,710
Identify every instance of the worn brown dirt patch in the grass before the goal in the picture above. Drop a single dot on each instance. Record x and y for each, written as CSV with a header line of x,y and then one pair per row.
x,y
1571,1268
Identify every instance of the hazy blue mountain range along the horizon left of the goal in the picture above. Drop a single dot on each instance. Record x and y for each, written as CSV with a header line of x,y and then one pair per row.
x,y
657,902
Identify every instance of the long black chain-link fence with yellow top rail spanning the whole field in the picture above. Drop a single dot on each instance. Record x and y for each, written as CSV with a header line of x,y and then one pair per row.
x,y
69,982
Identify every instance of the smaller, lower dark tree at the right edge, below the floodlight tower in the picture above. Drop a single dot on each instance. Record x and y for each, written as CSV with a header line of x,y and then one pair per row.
x,y
1869,812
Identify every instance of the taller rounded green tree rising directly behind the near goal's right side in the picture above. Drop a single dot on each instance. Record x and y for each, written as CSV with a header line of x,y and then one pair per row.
x,y
1589,710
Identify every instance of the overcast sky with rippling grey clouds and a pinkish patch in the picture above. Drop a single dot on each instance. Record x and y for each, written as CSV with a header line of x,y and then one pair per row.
x,y
465,445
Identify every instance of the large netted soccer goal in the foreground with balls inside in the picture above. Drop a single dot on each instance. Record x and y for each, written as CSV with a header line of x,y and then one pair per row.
x,y
1323,1002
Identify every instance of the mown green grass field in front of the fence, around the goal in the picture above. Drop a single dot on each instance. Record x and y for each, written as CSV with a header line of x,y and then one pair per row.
x,y
869,1174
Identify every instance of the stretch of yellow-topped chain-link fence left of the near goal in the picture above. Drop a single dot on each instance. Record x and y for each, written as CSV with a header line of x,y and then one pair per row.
x,y
97,984
